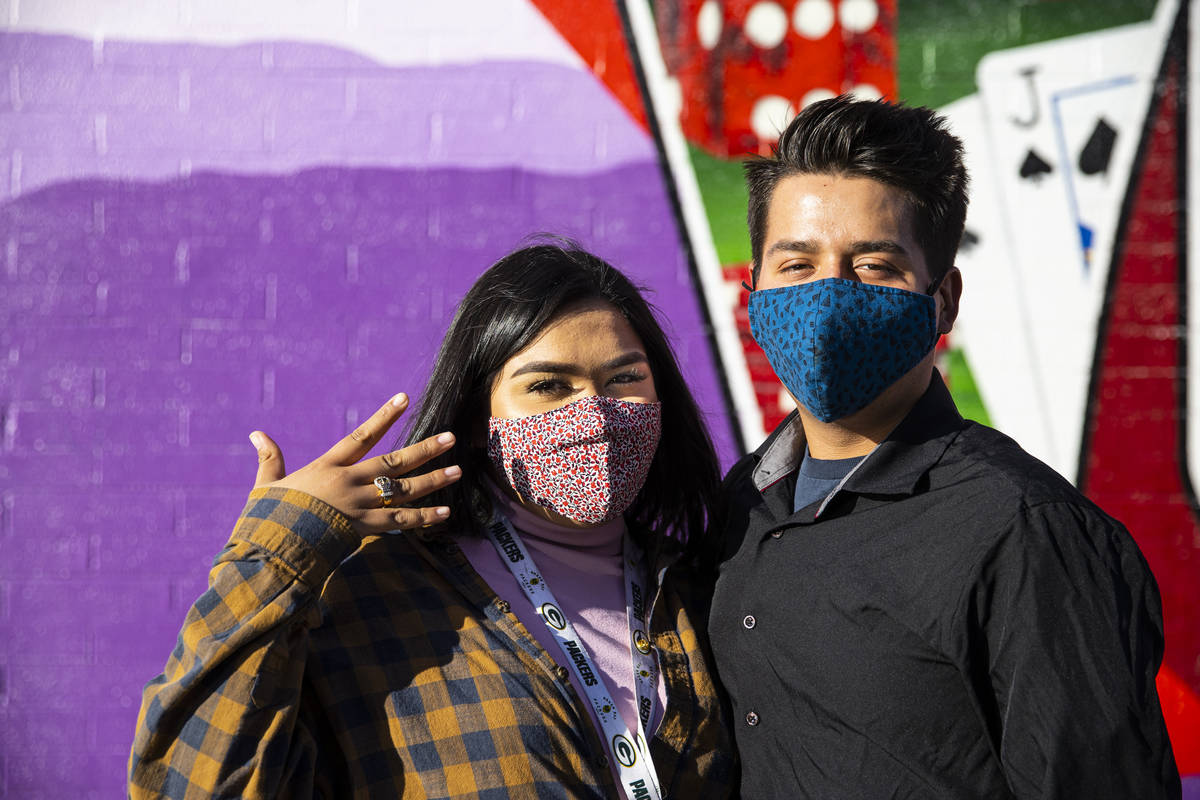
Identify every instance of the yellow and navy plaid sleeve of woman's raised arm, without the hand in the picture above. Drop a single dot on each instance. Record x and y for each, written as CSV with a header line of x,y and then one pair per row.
x,y
223,718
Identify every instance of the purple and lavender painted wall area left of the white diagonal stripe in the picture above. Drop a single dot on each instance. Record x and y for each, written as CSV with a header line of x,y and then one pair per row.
x,y
199,243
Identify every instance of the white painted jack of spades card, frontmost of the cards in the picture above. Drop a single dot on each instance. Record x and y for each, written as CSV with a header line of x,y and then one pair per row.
x,y
1064,121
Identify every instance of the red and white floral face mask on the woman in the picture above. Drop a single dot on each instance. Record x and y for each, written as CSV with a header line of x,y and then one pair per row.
x,y
586,461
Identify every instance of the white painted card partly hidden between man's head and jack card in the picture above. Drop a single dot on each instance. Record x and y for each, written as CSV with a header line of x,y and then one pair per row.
x,y
993,326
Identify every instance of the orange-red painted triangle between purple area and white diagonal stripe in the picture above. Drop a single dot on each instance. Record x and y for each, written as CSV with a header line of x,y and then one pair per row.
x,y
593,28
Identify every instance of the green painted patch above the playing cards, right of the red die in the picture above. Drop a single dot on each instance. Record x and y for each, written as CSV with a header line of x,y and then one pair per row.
x,y
940,43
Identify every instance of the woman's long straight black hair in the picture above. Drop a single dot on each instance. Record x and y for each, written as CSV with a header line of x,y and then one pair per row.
x,y
503,314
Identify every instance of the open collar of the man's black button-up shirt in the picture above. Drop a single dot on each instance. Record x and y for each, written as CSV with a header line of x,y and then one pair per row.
x,y
895,467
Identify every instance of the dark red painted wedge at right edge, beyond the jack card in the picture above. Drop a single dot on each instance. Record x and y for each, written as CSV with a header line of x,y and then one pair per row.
x,y
1133,466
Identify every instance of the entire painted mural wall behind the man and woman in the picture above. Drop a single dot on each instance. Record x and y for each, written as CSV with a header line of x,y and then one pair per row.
x,y
219,218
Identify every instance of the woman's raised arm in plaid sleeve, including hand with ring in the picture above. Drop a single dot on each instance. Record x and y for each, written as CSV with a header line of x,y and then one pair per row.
x,y
225,717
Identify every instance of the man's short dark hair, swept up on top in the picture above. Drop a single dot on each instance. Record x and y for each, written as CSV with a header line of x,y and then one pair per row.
x,y
909,148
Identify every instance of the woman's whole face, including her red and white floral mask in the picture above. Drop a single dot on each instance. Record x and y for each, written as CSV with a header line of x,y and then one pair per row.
x,y
575,419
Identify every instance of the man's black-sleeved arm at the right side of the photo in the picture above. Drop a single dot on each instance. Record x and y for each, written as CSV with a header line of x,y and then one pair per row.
x,y
1070,633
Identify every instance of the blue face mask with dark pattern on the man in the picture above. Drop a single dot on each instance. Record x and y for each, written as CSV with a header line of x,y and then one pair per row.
x,y
837,345
